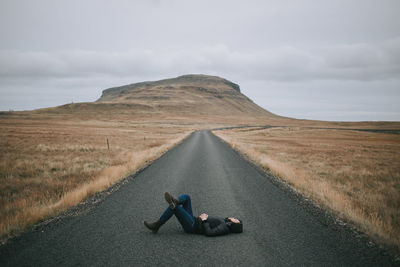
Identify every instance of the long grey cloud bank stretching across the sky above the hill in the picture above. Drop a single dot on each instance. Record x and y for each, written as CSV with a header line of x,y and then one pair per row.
x,y
287,63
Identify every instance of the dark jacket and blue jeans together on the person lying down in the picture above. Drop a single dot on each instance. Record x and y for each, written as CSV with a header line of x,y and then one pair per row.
x,y
213,226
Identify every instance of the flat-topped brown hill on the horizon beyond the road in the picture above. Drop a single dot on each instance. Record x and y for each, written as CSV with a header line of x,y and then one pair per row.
x,y
184,96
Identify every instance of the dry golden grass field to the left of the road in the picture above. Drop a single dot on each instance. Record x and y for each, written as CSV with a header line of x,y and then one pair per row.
x,y
49,163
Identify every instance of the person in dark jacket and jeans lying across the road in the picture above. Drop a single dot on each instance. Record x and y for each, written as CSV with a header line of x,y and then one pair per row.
x,y
181,207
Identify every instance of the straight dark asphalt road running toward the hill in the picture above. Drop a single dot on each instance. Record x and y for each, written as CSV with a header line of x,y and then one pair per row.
x,y
278,231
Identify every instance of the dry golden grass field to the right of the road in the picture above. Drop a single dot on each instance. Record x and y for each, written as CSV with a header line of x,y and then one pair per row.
x,y
352,173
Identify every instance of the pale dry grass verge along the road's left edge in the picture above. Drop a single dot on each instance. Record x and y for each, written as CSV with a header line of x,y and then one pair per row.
x,y
36,213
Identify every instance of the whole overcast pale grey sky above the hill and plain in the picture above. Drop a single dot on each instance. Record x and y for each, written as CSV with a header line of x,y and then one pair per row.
x,y
328,60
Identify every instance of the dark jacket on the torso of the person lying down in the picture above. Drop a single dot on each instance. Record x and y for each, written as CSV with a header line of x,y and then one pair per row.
x,y
213,226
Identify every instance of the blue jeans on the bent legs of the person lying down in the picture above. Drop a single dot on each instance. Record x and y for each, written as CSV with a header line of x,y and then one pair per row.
x,y
183,212
